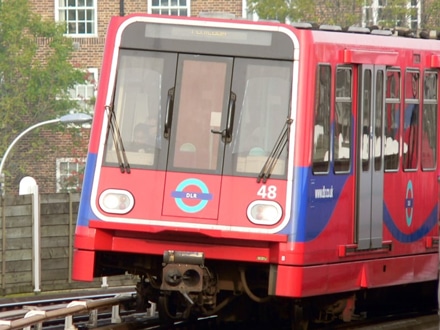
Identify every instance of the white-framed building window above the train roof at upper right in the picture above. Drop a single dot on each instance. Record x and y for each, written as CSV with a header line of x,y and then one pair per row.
x,y
384,13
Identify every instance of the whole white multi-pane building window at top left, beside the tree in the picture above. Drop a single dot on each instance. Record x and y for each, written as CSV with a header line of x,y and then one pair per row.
x,y
78,15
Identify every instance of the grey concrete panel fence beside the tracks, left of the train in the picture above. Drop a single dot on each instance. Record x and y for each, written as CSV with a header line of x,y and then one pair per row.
x,y
58,213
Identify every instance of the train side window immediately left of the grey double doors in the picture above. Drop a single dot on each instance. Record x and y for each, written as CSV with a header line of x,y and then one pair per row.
x,y
342,132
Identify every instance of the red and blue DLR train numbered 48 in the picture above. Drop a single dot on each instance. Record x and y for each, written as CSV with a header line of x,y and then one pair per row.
x,y
243,169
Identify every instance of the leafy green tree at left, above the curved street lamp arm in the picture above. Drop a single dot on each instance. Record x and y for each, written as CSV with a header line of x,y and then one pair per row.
x,y
35,70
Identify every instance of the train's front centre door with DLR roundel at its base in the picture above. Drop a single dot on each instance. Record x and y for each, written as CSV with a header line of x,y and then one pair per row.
x,y
196,109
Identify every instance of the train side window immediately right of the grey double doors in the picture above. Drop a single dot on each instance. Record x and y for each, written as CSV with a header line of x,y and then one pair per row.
x,y
392,120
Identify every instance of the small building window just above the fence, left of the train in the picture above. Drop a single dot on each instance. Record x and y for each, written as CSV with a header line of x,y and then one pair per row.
x,y
70,173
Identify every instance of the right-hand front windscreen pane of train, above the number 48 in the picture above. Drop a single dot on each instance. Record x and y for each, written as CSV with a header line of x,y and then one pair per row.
x,y
263,115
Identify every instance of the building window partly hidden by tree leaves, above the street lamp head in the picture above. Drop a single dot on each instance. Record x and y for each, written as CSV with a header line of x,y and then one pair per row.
x,y
85,93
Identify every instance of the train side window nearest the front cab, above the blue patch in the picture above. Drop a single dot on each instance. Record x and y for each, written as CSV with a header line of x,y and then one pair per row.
x,y
321,131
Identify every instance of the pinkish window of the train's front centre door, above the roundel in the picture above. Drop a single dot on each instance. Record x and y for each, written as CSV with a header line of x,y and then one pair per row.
x,y
200,109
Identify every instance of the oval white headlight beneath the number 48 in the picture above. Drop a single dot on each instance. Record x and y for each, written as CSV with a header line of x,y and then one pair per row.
x,y
264,212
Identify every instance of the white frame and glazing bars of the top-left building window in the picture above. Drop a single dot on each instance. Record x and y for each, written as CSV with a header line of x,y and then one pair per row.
x,y
60,10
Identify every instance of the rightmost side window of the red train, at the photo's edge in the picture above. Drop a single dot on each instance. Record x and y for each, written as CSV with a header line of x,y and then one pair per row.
x,y
429,121
